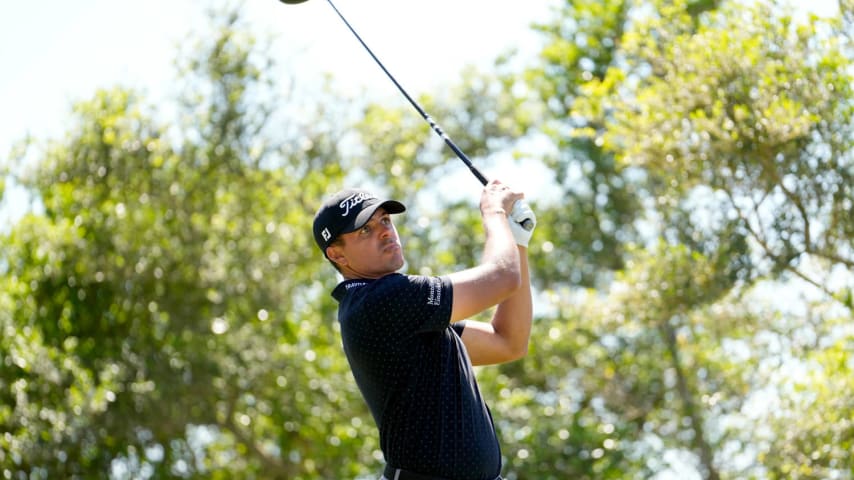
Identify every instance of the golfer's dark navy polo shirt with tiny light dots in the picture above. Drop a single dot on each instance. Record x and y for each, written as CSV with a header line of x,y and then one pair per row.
x,y
416,377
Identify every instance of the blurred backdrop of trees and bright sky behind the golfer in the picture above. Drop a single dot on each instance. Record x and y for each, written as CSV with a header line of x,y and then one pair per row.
x,y
165,313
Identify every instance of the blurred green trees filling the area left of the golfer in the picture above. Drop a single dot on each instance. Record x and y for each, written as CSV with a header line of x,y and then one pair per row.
x,y
160,317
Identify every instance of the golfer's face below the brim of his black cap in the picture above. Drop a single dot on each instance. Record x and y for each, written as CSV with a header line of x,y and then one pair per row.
x,y
371,251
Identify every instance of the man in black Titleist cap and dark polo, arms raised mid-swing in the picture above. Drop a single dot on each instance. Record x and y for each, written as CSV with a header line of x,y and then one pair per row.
x,y
404,336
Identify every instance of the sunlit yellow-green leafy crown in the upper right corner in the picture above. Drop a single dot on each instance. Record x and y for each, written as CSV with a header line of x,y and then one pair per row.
x,y
761,115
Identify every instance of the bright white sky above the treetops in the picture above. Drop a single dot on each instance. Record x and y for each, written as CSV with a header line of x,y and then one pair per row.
x,y
55,52
